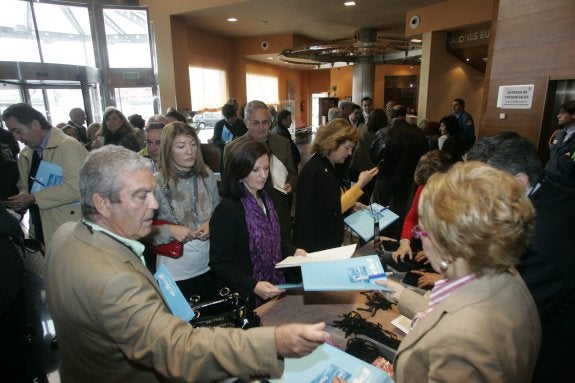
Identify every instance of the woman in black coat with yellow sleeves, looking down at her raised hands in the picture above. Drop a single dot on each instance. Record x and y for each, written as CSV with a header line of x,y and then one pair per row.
x,y
321,198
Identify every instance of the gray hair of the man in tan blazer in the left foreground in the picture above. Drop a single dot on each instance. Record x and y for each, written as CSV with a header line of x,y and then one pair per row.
x,y
100,172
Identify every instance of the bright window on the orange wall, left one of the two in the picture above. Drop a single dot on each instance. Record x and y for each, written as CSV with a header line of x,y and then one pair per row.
x,y
209,88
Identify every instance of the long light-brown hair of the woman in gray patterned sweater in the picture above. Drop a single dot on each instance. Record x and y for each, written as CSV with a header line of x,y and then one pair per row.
x,y
165,162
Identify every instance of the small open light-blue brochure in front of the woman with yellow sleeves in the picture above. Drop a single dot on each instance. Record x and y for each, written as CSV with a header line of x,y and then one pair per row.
x,y
362,221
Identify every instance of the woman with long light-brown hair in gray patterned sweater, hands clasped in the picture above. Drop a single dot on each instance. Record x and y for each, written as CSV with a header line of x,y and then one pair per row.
x,y
187,193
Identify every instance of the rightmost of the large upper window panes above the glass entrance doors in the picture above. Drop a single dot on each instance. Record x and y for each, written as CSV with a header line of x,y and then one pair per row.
x,y
127,38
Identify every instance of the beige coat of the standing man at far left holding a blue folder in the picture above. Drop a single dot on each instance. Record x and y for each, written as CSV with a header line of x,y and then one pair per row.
x,y
58,204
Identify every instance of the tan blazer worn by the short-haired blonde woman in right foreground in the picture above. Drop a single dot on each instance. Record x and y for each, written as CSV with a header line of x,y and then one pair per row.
x,y
486,331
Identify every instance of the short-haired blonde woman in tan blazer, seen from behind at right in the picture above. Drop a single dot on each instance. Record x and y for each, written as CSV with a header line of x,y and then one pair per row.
x,y
480,323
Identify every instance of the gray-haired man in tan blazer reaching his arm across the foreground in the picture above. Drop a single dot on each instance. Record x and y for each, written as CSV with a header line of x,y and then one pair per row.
x,y
112,322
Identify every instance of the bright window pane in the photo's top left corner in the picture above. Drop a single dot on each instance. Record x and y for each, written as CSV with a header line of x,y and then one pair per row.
x,y
17,34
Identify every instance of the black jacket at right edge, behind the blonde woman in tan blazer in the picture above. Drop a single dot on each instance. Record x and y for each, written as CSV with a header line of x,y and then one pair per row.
x,y
547,269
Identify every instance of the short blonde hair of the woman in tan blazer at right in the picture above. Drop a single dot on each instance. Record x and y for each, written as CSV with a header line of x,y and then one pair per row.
x,y
477,213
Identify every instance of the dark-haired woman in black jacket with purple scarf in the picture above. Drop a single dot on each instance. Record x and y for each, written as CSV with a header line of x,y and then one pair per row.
x,y
245,241
